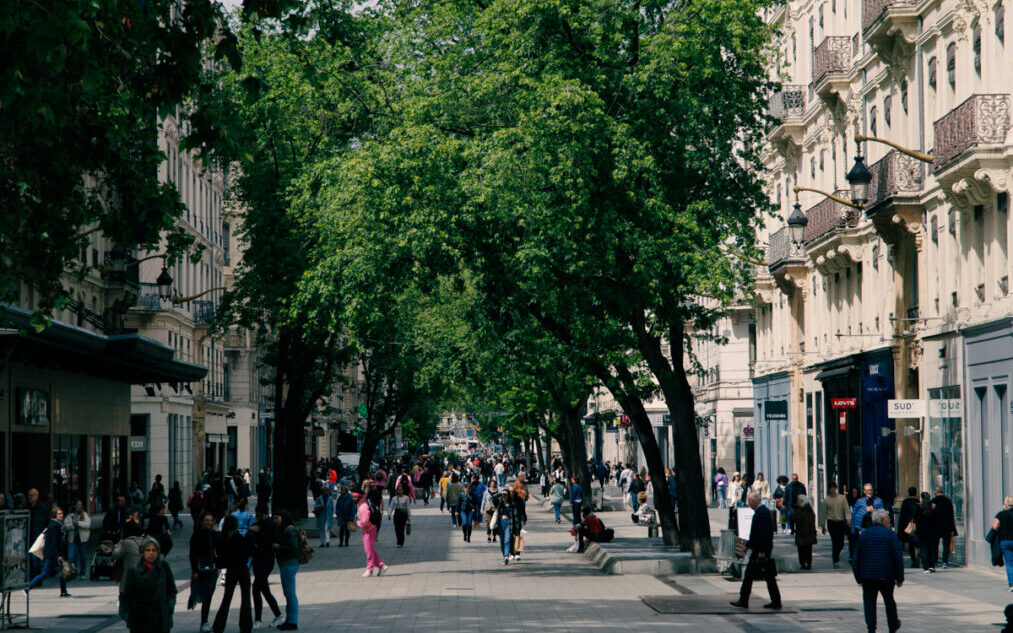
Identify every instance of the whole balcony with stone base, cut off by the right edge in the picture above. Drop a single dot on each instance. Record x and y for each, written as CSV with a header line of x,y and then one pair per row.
x,y
972,159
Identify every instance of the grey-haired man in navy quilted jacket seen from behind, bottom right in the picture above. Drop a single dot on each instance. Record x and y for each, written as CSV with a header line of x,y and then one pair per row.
x,y
879,565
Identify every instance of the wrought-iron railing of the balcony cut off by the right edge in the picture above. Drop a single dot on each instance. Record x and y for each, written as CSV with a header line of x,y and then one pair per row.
x,y
983,119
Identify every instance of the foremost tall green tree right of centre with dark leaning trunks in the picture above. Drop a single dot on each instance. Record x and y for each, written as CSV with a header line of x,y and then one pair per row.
x,y
611,161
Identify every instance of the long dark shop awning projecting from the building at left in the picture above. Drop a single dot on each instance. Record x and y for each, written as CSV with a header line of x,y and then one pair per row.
x,y
129,358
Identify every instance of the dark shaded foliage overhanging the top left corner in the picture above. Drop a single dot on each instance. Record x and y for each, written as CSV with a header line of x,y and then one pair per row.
x,y
83,90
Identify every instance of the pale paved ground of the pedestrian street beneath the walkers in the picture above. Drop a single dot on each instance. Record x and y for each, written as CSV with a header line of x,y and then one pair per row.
x,y
439,584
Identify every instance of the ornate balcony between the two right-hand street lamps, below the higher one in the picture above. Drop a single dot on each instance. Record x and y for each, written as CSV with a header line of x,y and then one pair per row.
x,y
830,242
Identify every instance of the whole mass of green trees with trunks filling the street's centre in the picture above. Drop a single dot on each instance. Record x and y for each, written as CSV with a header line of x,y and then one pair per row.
x,y
501,204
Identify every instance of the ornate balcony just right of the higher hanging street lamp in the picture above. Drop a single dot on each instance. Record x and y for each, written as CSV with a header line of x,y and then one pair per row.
x,y
898,181
